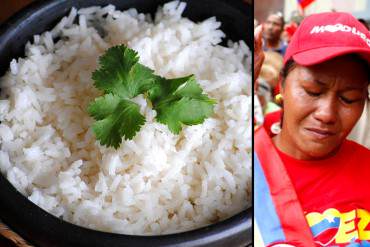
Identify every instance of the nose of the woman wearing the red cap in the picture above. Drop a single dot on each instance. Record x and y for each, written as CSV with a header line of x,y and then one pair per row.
x,y
326,111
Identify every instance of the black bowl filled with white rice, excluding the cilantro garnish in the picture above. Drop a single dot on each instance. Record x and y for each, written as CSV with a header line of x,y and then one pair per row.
x,y
61,187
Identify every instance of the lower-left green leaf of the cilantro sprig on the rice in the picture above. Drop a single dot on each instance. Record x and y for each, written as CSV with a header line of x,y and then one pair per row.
x,y
117,118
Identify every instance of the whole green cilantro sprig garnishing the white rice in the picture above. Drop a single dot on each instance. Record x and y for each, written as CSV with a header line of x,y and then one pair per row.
x,y
121,77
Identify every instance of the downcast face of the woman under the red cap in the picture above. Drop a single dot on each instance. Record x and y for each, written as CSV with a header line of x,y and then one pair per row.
x,y
322,103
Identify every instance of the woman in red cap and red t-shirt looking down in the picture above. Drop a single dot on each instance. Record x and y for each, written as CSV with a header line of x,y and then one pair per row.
x,y
311,183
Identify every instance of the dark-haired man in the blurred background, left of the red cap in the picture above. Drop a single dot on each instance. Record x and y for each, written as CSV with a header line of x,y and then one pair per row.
x,y
272,30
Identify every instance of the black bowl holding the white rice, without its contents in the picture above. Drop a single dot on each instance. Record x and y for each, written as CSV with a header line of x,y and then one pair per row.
x,y
43,229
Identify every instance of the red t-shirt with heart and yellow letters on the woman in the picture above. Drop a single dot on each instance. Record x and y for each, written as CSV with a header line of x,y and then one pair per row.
x,y
335,195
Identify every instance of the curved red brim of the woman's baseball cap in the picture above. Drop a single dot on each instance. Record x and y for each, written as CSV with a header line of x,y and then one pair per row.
x,y
319,55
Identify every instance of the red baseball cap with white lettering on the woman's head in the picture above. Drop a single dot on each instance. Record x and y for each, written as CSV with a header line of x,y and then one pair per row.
x,y
321,37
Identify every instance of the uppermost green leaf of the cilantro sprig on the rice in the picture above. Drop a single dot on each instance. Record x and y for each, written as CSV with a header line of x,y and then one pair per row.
x,y
121,74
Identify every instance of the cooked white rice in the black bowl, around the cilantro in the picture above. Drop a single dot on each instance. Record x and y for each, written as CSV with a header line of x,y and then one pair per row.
x,y
156,183
